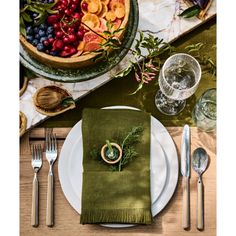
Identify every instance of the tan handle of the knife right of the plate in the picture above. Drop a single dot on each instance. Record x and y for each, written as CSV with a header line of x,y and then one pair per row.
x,y
185,209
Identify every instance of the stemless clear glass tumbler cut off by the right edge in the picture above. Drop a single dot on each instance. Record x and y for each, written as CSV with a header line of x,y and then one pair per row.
x,y
204,112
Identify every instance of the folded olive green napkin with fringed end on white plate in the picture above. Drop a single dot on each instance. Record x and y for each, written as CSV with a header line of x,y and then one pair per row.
x,y
113,196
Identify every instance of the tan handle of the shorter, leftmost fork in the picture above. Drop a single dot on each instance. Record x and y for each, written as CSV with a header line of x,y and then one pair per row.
x,y
35,205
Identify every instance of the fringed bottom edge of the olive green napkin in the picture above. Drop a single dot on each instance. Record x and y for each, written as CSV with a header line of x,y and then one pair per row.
x,y
132,216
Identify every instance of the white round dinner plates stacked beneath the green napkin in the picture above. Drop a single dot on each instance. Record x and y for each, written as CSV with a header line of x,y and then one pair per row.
x,y
164,167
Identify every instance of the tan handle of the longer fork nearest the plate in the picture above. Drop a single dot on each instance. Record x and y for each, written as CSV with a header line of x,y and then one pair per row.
x,y
49,216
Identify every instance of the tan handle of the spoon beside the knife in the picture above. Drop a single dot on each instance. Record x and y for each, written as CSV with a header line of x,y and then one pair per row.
x,y
200,218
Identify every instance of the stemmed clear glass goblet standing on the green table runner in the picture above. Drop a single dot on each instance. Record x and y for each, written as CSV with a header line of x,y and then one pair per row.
x,y
178,80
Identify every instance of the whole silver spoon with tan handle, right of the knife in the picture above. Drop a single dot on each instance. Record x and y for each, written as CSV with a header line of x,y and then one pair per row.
x,y
199,164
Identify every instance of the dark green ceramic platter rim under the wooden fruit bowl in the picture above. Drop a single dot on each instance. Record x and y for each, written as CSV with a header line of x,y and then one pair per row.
x,y
90,72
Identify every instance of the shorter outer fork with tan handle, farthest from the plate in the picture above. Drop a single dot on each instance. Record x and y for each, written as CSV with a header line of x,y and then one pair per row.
x,y
36,164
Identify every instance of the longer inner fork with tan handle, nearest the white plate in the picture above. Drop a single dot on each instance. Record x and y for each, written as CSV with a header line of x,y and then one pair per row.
x,y
51,156
